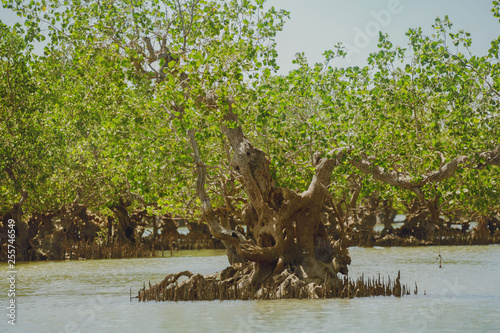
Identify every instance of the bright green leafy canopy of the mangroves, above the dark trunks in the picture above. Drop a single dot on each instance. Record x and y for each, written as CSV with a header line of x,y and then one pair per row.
x,y
103,113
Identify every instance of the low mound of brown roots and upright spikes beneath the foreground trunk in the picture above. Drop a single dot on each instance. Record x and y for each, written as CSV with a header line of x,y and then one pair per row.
x,y
234,283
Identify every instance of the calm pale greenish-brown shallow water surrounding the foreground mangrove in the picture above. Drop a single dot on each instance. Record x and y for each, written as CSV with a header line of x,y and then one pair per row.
x,y
93,296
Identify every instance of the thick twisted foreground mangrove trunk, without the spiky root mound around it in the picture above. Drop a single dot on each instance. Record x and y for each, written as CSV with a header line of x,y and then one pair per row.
x,y
290,243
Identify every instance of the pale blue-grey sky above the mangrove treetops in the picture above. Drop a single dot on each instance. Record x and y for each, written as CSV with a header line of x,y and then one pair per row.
x,y
317,25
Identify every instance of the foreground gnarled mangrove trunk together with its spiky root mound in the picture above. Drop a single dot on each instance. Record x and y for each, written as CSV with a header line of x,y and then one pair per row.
x,y
290,255
